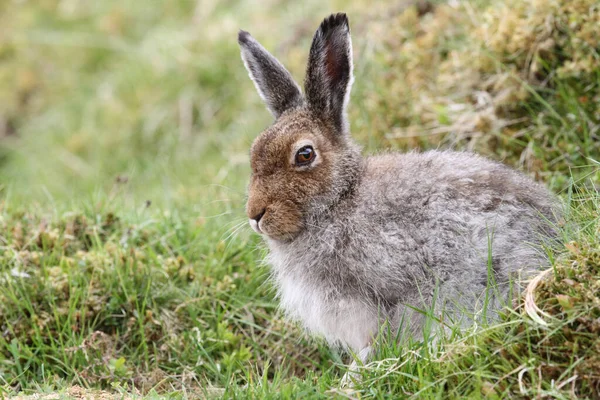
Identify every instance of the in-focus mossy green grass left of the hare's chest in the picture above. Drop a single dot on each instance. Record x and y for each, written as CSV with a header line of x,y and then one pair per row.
x,y
101,299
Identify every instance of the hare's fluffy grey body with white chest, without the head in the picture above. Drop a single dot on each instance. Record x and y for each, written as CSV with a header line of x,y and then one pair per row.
x,y
415,226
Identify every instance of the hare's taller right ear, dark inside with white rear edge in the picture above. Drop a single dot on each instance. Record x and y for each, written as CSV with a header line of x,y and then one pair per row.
x,y
329,71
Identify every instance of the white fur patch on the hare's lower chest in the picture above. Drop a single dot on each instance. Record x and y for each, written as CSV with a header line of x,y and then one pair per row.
x,y
322,310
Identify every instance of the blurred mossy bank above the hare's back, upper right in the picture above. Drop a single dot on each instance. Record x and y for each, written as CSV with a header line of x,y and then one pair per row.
x,y
490,77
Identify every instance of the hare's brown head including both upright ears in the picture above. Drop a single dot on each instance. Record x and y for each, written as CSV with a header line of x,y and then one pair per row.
x,y
306,161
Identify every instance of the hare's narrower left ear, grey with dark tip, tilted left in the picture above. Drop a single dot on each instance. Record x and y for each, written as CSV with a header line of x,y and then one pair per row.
x,y
273,82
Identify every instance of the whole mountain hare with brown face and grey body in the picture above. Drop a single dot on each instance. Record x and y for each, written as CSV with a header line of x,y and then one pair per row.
x,y
358,241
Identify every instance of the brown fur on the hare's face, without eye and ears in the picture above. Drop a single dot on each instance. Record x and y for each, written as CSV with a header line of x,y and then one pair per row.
x,y
280,188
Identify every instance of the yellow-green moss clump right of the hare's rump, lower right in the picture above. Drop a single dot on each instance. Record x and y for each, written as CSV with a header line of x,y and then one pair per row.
x,y
572,298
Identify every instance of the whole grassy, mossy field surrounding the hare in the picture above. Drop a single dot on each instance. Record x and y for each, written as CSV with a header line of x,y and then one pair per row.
x,y
127,268
